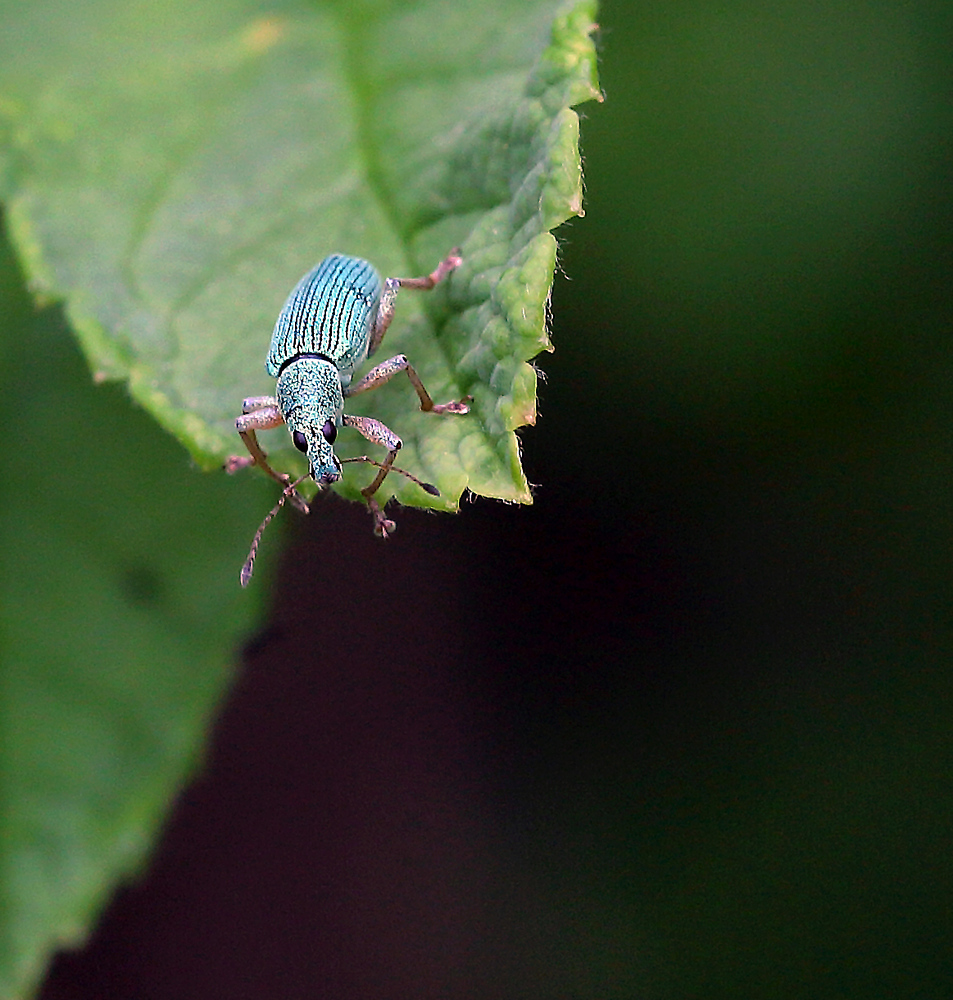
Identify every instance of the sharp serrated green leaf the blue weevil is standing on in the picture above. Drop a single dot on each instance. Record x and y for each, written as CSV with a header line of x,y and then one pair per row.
x,y
173,168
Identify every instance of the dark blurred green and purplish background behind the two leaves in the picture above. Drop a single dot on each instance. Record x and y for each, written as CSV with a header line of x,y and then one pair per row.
x,y
682,728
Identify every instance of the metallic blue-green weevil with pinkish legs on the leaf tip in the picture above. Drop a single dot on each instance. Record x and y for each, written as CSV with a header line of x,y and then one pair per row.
x,y
334,319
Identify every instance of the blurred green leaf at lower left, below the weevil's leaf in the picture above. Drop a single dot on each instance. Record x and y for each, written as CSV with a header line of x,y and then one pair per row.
x,y
120,612
